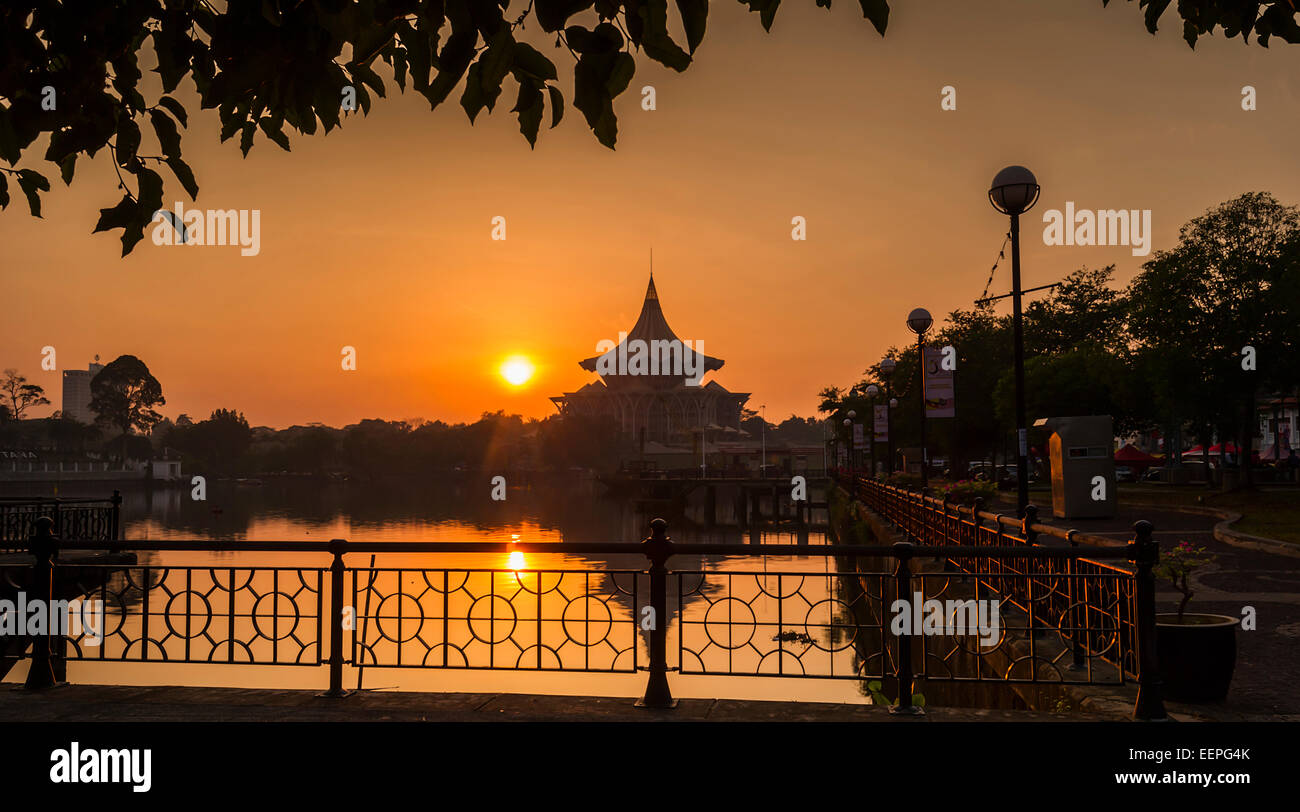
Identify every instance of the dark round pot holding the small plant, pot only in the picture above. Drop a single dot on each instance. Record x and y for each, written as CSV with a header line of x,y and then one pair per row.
x,y
1197,657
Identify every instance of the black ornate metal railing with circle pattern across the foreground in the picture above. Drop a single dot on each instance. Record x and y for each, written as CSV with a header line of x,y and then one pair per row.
x,y
835,624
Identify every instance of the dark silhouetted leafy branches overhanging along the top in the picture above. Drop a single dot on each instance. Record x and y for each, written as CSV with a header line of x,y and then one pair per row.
x,y
268,64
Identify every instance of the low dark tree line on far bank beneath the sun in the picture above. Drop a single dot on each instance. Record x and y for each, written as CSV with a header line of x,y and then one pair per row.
x,y
129,427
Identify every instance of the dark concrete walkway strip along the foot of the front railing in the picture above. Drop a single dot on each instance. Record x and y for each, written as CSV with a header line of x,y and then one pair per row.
x,y
111,704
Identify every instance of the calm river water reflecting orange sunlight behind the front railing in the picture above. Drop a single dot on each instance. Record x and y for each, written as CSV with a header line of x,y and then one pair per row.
x,y
800,606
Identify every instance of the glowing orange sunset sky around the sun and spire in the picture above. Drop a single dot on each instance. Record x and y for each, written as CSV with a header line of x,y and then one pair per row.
x,y
379,236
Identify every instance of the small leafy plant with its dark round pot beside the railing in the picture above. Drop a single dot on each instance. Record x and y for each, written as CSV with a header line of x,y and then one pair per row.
x,y
1197,652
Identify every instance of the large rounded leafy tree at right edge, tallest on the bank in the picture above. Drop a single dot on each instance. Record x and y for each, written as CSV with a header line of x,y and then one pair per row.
x,y
1215,319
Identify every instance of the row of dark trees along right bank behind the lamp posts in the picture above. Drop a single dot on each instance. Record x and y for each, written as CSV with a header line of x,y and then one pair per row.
x,y
1186,349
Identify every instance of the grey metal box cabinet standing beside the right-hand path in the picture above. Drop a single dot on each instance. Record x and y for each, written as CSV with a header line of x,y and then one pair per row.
x,y
1084,466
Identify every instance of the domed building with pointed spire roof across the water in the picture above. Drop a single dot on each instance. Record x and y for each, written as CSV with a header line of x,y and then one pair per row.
x,y
669,409
